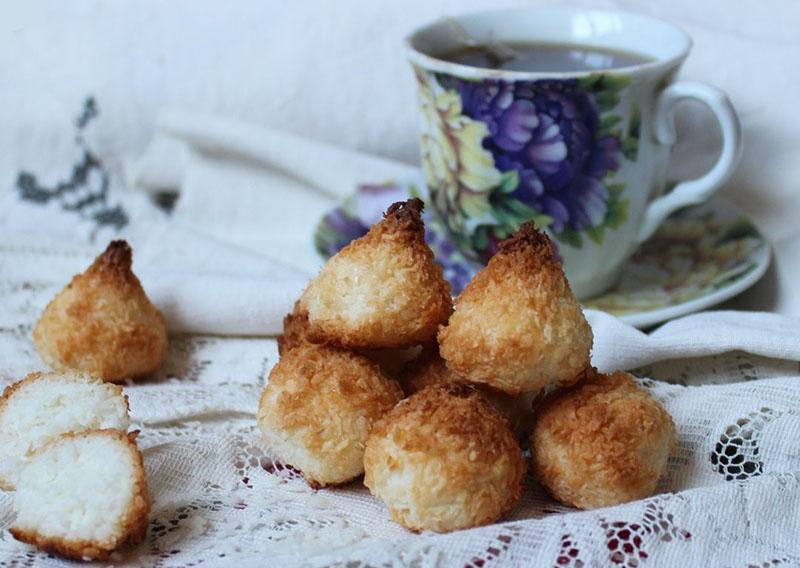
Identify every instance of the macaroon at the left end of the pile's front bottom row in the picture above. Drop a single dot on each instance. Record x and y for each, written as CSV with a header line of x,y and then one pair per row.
x,y
318,408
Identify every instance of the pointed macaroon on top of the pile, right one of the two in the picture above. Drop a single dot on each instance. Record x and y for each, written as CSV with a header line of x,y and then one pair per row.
x,y
517,326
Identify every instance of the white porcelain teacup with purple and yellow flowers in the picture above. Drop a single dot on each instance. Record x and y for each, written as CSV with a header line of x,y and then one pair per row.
x,y
584,154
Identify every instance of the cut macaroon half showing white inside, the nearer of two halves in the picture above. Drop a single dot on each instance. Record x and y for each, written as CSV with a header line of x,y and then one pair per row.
x,y
83,495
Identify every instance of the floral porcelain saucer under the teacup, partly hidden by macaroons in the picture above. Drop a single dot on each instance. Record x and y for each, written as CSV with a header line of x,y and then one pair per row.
x,y
699,257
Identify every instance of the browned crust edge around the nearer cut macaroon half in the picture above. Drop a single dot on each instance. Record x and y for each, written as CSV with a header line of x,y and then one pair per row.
x,y
133,526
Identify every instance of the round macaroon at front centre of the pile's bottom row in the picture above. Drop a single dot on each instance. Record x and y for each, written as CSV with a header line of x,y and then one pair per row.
x,y
444,459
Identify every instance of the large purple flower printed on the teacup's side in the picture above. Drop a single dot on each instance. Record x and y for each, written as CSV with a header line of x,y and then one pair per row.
x,y
547,132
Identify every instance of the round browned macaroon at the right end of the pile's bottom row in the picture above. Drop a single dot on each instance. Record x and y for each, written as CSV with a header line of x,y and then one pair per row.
x,y
603,442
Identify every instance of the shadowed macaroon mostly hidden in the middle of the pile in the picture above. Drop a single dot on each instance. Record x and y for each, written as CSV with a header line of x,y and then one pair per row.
x,y
428,368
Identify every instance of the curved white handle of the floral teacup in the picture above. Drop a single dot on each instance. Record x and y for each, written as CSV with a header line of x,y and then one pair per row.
x,y
698,190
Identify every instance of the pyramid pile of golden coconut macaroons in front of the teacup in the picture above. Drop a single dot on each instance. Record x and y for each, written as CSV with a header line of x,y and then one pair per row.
x,y
512,360
